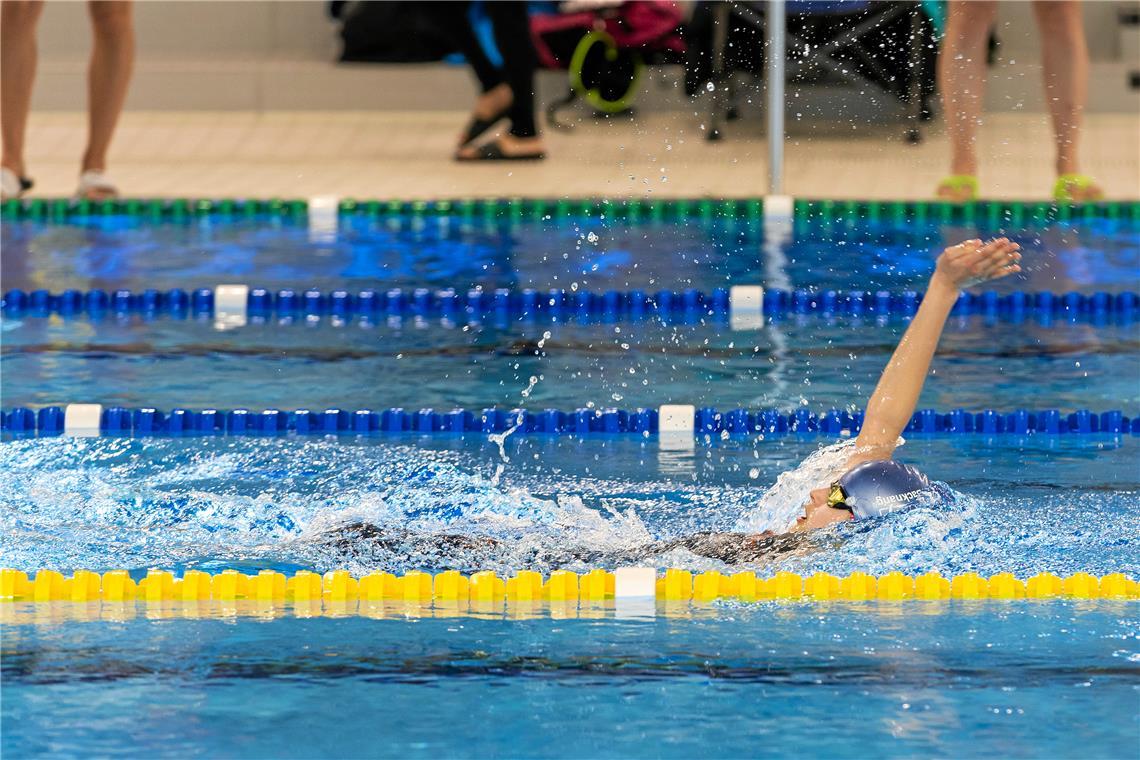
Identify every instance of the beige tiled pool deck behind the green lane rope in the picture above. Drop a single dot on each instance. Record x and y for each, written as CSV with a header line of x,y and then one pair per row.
x,y
406,156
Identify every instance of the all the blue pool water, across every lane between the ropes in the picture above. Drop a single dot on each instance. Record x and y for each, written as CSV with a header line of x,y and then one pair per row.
x,y
1023,680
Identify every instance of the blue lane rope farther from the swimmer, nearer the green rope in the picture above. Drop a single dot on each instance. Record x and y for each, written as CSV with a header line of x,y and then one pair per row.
x,y
478,305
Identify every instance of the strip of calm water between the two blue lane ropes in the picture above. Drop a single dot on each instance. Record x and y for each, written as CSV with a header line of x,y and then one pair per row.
x,y
786,366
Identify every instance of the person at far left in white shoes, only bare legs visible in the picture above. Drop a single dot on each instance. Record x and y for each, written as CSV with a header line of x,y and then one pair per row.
x,y
109,77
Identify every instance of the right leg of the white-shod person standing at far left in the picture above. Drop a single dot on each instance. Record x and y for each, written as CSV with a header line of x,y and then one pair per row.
x,y
112,61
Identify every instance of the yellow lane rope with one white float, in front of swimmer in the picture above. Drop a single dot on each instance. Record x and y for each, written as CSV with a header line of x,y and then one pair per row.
x,y
561,586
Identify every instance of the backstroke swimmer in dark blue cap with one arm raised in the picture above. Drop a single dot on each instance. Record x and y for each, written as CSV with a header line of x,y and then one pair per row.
x,y
870,484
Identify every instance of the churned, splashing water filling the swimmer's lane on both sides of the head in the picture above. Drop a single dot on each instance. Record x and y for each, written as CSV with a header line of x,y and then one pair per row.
x,y
289,503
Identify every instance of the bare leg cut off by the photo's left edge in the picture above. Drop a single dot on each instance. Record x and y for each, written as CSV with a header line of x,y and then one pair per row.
x,y
18,75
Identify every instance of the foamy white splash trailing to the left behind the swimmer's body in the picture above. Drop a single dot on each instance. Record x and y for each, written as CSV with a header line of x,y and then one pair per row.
x,y
108,503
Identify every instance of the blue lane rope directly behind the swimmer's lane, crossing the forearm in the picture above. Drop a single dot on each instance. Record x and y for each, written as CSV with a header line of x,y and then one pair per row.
x,y
146,422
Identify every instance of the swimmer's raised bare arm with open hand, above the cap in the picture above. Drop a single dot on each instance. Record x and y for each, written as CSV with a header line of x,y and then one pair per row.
x,y
898,394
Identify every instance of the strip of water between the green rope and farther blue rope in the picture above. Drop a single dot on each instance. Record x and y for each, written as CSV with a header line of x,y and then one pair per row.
x,y
588,252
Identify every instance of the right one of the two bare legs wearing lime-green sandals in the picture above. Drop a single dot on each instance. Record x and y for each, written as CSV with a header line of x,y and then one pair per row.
x,y
1065,56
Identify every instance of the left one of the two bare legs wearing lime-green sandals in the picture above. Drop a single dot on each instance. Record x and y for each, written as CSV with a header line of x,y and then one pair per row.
x,y
963,79
